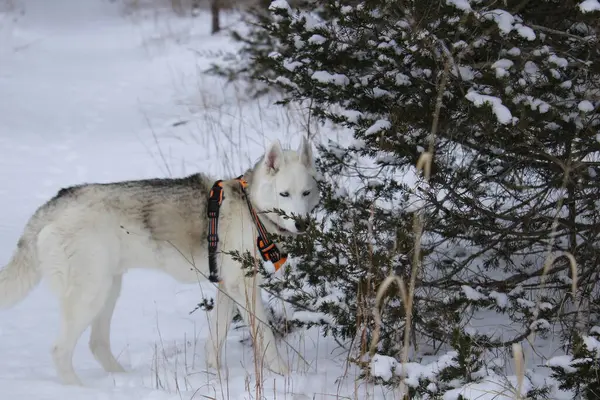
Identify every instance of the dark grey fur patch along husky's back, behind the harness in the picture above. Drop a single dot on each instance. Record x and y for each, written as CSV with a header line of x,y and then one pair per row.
x,y
168,210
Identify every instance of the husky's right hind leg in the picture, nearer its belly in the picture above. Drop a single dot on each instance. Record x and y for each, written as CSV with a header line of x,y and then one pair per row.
x,y
100,335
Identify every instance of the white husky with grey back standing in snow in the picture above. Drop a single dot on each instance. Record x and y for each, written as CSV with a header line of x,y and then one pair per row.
x,y
85,238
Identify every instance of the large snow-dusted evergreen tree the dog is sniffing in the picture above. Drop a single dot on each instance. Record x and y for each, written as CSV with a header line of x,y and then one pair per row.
x,y
506,101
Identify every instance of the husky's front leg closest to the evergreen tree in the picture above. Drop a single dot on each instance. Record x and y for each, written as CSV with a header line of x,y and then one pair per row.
x,y
250,305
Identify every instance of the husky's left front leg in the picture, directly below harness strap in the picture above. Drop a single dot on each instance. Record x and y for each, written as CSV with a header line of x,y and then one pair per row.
x,y
220,321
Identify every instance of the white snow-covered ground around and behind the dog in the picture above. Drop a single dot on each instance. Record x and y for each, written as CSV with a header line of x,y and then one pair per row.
x,y
91,92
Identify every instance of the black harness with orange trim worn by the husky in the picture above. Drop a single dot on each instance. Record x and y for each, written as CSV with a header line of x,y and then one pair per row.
x,y
268,250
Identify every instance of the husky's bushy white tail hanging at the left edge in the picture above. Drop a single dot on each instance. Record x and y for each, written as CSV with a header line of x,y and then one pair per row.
x,y
22,273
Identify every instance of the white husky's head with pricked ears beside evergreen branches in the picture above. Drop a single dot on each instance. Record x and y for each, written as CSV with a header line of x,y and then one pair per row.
x,y
285,180
